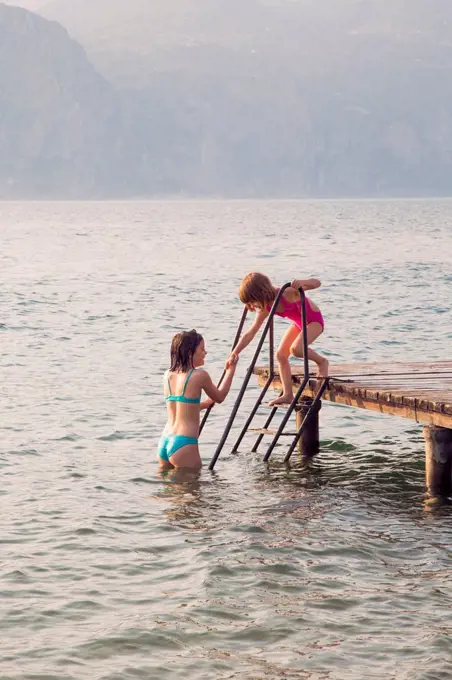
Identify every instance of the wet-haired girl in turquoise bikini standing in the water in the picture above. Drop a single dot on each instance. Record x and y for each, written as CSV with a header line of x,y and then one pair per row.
x,y
182,386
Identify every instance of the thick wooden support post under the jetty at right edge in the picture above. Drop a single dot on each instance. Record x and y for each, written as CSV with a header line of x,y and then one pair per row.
x,y
438,461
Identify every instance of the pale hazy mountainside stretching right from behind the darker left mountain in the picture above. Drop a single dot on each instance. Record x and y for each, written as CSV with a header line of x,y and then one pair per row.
x,y
285,96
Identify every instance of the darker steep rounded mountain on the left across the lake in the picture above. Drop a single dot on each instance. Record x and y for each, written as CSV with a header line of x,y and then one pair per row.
x,y
61,131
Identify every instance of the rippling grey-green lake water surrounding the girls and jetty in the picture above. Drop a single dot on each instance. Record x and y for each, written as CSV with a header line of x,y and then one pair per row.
x,y
112,570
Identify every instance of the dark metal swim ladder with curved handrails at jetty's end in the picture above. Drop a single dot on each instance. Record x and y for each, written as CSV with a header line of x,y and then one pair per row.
x,y
269,330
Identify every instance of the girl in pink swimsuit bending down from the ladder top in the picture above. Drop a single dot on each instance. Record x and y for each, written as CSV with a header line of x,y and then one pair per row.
x,y
258,294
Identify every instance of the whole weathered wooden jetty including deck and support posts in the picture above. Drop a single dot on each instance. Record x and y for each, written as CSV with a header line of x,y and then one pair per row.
x,y
421,392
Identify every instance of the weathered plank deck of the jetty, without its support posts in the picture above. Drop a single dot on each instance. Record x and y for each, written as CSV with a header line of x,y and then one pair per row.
x,y
395,390
